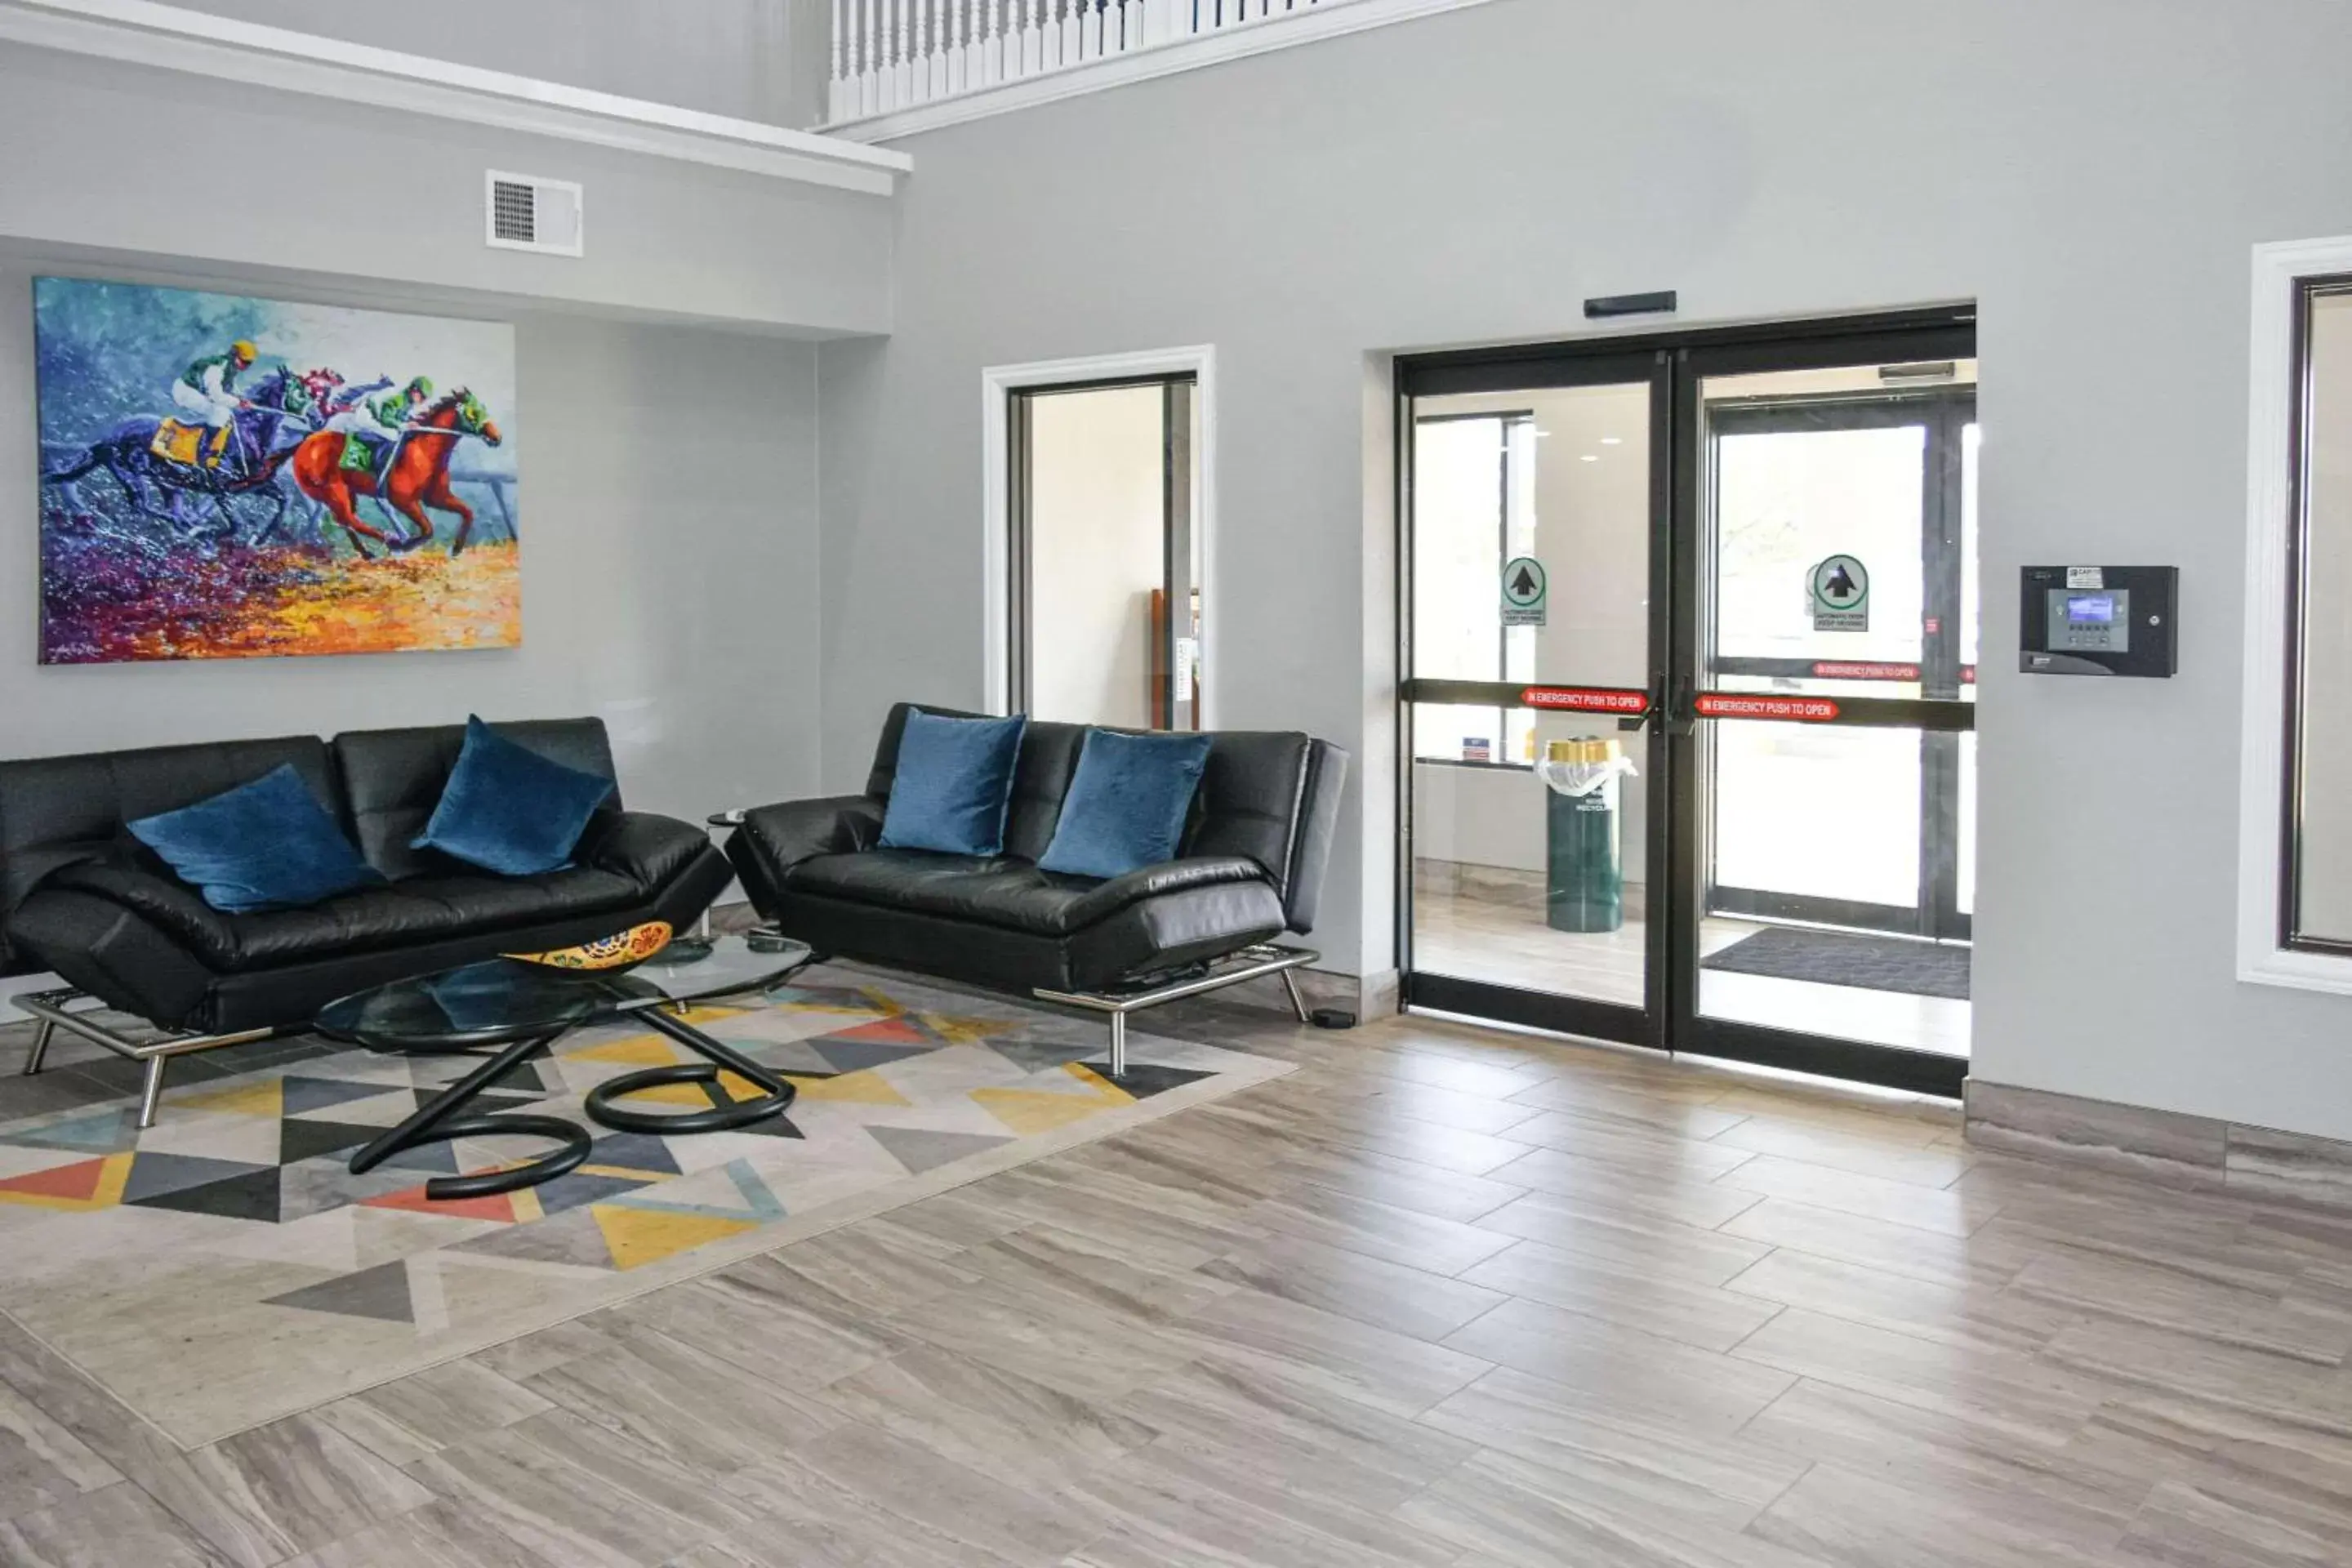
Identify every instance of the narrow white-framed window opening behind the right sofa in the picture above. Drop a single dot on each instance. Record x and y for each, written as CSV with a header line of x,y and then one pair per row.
x,y
1104,544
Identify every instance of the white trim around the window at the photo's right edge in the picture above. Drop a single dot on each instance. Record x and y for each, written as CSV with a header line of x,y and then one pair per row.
x,y
2261,793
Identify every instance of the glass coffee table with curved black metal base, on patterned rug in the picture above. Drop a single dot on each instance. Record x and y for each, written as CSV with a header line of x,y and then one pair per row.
x,y
514,1012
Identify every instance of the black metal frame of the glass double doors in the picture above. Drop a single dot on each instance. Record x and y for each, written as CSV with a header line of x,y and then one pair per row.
x,y
1671,366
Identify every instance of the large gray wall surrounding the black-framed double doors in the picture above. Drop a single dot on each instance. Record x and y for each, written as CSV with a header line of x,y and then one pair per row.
x,y
2092,173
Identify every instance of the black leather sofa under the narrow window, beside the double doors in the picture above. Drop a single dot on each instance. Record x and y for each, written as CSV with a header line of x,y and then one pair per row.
x,y
1250,869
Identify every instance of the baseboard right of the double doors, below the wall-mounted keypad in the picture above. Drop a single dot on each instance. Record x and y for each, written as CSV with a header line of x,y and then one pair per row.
x,y
2160,1146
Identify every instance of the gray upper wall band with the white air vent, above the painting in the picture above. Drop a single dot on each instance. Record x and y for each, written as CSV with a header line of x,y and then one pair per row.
x,y
159,163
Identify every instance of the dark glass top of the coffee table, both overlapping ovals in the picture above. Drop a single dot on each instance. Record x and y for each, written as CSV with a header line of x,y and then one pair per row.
x,y
502,1000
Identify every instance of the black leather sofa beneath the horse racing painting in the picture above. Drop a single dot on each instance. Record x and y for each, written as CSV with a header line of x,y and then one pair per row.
x,y
83,899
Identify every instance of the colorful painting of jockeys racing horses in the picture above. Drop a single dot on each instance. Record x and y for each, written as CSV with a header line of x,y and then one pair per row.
x,y
246,478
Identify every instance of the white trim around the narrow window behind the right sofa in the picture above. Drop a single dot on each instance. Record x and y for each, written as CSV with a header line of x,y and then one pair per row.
x,y
998,384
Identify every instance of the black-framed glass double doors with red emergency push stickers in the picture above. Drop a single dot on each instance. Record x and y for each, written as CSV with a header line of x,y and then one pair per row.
x,y
1690,643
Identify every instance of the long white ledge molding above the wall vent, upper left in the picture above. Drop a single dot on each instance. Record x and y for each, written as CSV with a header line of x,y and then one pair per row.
x,y
175,39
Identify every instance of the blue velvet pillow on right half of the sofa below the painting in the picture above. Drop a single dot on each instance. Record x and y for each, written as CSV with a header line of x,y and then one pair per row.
x,y
509,810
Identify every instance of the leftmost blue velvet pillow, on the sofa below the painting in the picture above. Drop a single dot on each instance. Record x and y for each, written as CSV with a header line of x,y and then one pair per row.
x,y
267,845
